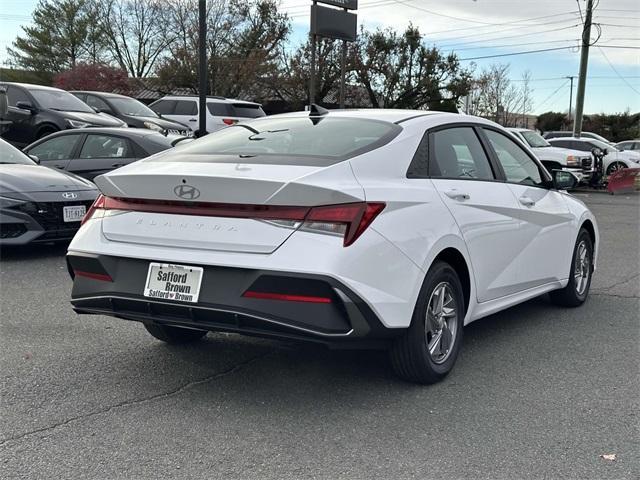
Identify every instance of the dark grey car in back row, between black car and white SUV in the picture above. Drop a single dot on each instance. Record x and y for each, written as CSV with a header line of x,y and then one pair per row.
x,y
133,112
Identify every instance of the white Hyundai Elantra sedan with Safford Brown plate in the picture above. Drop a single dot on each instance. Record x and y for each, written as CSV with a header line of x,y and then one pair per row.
x,y
376,228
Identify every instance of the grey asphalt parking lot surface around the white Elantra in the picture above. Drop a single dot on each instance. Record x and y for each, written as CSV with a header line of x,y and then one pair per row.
x,y
538,392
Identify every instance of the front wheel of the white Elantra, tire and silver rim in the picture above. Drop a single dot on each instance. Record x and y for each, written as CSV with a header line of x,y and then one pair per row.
x,y
577,290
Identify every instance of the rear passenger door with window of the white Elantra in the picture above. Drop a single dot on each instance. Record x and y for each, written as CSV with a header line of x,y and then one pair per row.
x,y
483,207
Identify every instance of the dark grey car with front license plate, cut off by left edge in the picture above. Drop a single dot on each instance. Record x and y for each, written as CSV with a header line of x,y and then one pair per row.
x,y
38,204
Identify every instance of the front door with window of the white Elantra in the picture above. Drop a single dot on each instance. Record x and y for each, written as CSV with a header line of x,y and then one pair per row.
x,y
547,222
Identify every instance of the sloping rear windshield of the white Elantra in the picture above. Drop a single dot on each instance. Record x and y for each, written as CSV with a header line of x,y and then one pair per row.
x,y
291,140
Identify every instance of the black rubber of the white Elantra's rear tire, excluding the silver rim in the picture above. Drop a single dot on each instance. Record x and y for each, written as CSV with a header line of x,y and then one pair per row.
x,y
410,356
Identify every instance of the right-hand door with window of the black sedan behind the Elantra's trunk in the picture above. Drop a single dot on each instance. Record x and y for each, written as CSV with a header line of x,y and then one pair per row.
x,y
101,153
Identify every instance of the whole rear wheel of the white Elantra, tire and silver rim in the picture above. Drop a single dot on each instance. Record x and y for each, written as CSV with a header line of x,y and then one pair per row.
x,y
428,350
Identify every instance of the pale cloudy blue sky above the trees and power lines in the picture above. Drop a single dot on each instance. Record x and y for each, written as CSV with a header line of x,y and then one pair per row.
x,y
479,28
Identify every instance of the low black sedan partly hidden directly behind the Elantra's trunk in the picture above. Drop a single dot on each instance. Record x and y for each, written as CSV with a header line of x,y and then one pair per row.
x,y
90,152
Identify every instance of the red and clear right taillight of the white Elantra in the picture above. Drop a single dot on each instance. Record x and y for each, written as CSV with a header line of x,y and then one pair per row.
x,y
349,220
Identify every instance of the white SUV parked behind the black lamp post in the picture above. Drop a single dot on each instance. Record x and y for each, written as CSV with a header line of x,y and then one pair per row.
x,y
221,112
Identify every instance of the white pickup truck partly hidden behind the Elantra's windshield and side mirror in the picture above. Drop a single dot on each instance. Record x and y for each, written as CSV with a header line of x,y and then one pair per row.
x,y
554,158
